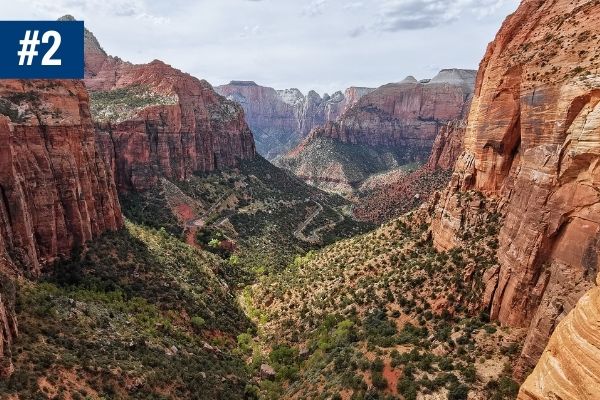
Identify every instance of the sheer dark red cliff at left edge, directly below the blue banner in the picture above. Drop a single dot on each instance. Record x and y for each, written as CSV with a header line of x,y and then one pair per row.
x,y
56,191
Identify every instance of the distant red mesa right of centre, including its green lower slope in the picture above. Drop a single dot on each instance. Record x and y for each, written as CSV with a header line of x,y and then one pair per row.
x,y
394,125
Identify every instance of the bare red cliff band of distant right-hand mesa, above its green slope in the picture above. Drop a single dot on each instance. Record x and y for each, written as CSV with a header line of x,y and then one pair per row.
x,y
408,113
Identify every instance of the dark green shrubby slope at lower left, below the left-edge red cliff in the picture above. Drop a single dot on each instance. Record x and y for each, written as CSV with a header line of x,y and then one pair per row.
x,y
139,315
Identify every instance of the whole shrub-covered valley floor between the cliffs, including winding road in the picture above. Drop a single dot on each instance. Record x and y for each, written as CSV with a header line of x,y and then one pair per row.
x,y
241,285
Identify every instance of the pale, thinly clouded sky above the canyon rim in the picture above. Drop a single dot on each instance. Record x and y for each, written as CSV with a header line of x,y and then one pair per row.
x,y
325,45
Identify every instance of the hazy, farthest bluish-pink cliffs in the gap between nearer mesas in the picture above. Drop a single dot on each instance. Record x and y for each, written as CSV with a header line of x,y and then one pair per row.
x,y
280,119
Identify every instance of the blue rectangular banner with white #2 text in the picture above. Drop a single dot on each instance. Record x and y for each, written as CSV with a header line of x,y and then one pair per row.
x,y
41,49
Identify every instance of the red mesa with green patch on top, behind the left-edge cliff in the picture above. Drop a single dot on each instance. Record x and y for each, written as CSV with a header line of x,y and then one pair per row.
x,y
154,120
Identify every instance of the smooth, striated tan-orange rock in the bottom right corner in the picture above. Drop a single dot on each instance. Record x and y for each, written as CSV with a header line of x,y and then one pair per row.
x,y
569,368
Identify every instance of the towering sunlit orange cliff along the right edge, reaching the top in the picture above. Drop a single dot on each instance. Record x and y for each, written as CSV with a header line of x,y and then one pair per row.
x,y
533,142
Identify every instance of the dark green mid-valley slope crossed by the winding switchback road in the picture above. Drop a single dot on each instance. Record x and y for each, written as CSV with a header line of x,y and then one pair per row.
x,y
257,208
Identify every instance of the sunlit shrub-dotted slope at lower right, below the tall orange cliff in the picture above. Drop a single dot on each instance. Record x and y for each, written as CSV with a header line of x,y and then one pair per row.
x,y
385,314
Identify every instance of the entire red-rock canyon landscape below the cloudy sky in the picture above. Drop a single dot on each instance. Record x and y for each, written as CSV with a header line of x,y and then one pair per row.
x,y
148,251
